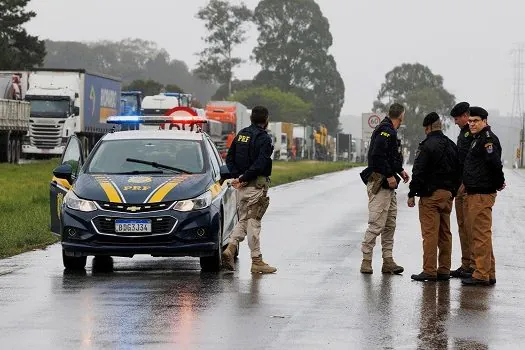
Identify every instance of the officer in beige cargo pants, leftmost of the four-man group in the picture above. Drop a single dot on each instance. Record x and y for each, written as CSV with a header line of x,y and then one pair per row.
x,y
381,179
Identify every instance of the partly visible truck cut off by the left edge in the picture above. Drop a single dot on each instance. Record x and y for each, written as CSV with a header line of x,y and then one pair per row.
x,y
14,117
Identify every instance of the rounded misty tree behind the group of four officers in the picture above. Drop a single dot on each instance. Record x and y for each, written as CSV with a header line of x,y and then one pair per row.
x,y
421,92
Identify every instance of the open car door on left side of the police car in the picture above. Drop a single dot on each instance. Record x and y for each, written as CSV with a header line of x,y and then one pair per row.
x,y
73,155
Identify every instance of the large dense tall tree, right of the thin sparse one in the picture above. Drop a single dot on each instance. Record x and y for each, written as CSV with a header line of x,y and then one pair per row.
x,y
292,49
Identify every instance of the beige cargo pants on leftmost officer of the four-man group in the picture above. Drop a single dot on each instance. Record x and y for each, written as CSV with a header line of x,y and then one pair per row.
x,y
382,213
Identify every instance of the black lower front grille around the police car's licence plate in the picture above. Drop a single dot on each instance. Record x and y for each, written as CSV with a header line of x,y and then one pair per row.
x,y
161,225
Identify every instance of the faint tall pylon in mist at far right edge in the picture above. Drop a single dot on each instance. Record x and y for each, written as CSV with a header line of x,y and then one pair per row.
x,y
517,103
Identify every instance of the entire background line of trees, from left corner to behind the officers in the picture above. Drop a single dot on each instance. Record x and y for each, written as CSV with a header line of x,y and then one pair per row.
x,y
298,79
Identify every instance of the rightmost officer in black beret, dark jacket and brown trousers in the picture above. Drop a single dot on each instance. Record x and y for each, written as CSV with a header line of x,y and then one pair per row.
x,y
483,177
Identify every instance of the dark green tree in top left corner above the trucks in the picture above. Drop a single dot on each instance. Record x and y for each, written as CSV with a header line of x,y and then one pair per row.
x,y
18,49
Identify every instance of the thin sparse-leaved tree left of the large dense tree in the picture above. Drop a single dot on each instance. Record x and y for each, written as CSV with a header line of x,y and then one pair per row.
x,y
226,26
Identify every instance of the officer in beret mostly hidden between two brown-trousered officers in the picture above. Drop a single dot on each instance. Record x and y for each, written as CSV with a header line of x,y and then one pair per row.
x,y
460,113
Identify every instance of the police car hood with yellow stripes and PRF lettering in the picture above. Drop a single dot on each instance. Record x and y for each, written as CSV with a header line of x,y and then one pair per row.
x,y
140,189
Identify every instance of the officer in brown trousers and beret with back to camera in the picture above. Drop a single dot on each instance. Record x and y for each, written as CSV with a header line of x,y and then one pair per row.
x,y
435,179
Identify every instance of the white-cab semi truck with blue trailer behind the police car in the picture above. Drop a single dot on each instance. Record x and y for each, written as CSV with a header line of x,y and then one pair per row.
x,y
67,102
